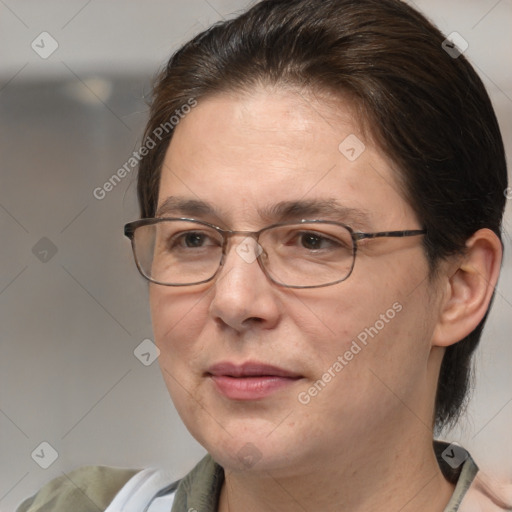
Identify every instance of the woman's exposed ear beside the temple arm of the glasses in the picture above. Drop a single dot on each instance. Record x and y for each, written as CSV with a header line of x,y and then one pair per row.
x,y
468,288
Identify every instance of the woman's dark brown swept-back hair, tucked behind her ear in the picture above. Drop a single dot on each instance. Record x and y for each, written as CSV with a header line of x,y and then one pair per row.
x,y
428,111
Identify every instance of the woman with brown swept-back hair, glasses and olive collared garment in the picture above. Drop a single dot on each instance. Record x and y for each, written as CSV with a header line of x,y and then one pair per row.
x,y
321,207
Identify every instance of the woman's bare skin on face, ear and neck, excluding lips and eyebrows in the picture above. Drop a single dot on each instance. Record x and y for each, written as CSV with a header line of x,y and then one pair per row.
x,y
365,441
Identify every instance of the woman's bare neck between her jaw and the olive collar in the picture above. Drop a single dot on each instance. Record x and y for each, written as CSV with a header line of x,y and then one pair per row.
x,y
402,474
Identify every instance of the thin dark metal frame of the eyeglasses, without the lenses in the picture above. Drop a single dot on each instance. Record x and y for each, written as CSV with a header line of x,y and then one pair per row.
x,y
226,234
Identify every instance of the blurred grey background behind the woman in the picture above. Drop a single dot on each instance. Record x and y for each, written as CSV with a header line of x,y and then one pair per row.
x,y
73,309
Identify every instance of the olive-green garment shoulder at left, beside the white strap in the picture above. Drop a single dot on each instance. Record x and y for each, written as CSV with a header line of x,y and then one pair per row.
x,y
86,489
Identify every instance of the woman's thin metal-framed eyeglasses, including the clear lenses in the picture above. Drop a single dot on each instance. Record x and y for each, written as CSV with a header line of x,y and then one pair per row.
x,y
305,254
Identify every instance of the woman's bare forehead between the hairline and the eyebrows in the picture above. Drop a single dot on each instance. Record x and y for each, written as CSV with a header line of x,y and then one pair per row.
x,y
243,154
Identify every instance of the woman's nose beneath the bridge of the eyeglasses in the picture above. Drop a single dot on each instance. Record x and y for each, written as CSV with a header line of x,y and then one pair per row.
x,y
243,296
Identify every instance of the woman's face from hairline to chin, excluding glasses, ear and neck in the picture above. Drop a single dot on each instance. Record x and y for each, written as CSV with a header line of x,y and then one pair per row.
x,y
267,377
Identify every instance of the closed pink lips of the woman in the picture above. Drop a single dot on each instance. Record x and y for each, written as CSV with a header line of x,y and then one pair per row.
x,y
250,380
